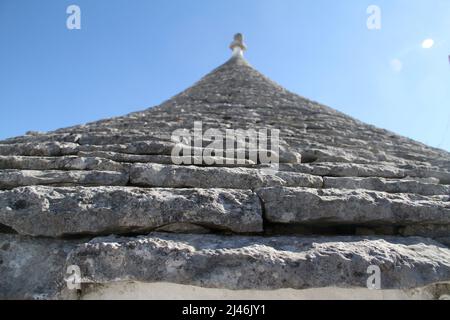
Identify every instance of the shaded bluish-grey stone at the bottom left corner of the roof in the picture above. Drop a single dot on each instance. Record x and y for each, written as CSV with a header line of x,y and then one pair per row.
x,y
33,268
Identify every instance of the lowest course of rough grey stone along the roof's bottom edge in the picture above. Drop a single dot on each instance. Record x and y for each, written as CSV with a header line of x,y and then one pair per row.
x,y
39,265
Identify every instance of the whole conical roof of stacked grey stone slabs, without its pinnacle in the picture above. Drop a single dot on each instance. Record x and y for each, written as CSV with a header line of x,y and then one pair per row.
x,y
106,197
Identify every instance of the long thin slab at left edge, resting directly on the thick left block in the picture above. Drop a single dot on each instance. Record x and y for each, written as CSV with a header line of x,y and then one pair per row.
x,y
18,178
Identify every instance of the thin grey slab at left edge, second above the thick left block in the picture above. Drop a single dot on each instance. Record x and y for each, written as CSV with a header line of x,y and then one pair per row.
x,y
59,163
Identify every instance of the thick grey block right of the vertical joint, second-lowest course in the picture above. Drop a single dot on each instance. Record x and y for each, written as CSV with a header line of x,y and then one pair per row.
x,y
312,206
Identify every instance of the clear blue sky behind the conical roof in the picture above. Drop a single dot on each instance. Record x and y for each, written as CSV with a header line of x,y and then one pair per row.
x,y
133,54
